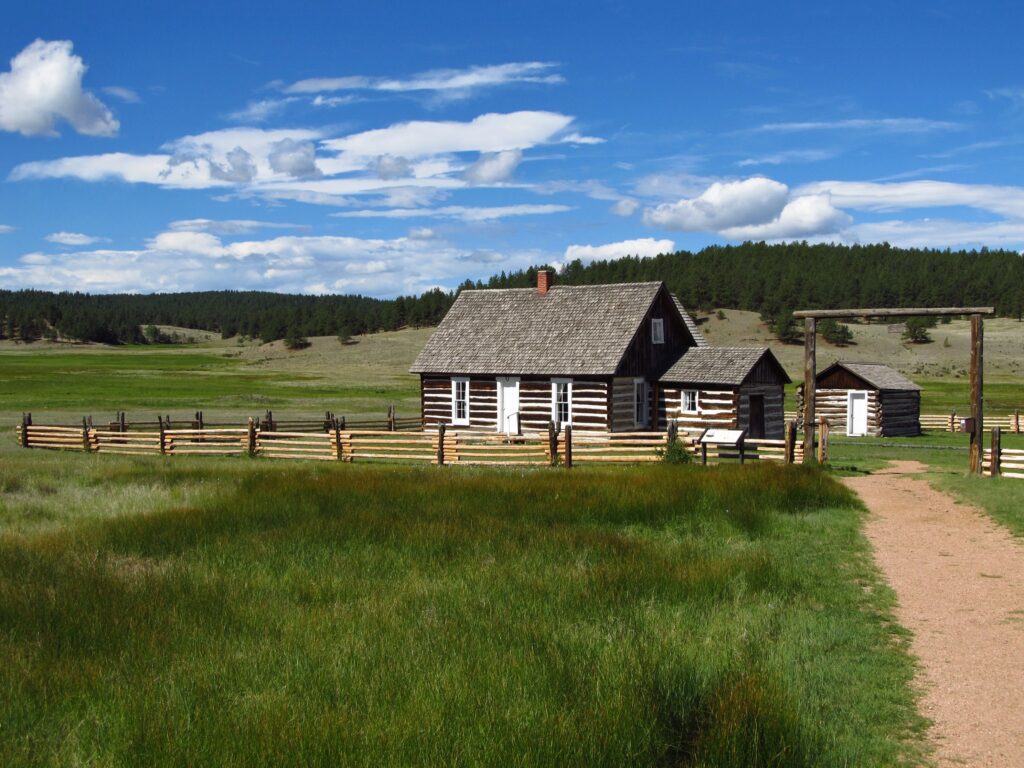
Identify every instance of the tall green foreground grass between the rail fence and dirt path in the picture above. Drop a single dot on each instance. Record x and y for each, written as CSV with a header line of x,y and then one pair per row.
x,y
240,613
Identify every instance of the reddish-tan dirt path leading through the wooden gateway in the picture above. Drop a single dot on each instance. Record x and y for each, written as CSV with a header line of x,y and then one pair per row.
x,y
960,582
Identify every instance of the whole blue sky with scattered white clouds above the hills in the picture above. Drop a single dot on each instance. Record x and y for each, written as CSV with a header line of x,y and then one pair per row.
x,y
391,148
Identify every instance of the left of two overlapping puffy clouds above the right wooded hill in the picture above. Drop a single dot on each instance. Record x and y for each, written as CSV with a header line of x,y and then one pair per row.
x,y
723,205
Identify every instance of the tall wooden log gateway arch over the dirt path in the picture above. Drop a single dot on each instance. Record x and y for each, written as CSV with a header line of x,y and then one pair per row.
x,y
977,314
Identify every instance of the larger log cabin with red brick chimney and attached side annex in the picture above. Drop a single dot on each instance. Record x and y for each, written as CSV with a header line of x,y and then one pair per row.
x,y
594,357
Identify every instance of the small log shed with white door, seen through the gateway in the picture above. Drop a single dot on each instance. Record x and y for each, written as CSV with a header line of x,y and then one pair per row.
x,y
867,399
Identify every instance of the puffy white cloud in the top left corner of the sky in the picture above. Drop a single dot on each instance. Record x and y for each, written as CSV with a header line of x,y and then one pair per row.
x,y
45,86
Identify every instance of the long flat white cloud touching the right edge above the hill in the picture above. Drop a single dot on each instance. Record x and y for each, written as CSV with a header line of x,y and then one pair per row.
x,y
870,196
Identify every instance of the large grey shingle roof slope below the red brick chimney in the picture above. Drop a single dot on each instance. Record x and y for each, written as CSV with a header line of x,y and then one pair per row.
x,y
571,331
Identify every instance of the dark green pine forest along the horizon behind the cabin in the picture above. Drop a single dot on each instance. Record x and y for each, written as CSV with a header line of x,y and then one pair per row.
x,y
773,280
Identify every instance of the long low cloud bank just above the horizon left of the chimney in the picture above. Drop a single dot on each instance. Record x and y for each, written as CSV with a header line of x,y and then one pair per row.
x,y
320,265
